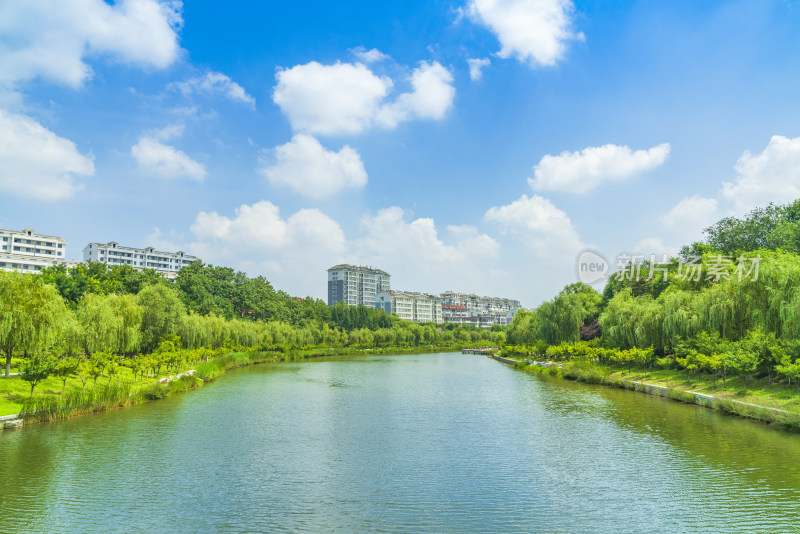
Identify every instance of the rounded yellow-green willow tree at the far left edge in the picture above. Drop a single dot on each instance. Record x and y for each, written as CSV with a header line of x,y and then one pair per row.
x,y
32,314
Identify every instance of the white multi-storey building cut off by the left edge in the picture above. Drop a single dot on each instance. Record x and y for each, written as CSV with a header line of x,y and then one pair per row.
x,y
28,252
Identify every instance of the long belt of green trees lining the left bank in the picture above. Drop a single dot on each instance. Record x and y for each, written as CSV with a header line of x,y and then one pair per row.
x,y
92,321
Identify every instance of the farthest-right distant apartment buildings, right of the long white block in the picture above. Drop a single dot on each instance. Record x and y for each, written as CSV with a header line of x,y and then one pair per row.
x,y
471,309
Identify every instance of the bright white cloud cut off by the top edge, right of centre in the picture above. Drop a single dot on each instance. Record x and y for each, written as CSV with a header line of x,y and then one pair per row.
x,y
535,31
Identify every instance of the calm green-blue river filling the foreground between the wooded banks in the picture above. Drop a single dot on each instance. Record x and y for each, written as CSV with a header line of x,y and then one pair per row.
x,y
410,443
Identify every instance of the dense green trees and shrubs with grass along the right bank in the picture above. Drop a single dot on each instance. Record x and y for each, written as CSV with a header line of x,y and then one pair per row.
x,y
735,337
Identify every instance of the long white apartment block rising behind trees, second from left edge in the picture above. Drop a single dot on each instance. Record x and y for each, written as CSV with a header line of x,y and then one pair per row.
x,y
139,258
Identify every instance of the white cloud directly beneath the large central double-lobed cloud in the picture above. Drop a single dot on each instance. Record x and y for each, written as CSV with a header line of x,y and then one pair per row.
x,y
307,167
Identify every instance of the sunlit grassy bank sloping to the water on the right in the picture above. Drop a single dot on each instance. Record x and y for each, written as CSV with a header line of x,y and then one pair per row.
x,y
775,403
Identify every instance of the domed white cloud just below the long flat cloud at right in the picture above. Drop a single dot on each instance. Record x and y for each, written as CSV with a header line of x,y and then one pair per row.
x,y
542,225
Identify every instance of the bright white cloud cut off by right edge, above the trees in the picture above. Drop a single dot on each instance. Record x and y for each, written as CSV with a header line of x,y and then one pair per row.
x,y
771,176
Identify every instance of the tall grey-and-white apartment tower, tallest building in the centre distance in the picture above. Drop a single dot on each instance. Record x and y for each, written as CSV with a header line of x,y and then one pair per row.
x,y
355,284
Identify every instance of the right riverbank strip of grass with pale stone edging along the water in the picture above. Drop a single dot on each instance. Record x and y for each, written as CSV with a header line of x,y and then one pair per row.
x,y
780,411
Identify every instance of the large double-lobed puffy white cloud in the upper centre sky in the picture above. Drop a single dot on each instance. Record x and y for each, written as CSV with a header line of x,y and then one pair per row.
x,y
346,98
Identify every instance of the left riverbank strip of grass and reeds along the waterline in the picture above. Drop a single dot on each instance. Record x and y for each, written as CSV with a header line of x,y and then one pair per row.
x,y
84,400
